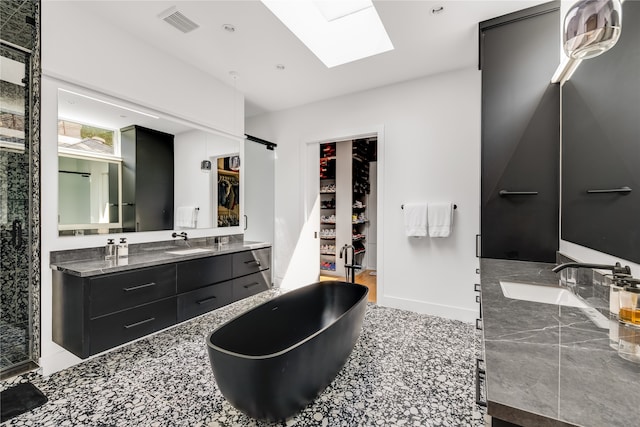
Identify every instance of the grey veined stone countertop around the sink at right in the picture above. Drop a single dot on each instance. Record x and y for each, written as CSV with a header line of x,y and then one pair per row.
x,y
550,365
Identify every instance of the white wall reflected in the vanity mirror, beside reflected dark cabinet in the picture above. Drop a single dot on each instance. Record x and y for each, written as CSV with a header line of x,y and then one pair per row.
x,y
192,186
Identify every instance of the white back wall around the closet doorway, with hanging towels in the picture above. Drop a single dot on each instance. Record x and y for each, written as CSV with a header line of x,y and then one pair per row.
x,y
431,152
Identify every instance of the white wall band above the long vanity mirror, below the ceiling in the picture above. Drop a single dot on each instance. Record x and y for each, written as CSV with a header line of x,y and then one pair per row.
x,y
79,47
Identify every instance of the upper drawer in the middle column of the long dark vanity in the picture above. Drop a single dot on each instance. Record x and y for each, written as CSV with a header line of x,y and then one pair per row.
x,y
203,272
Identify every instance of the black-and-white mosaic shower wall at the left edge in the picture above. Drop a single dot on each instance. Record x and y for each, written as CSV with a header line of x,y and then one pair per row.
x,y
20,184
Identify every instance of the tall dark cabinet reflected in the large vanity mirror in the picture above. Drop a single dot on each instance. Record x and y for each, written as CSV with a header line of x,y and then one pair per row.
x,y
147,179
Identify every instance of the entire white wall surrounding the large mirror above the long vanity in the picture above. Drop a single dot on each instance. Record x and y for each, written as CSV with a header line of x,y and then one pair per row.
x,y
74,49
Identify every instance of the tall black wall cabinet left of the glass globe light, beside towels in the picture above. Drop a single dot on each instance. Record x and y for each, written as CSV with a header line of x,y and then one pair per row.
x,y
520,135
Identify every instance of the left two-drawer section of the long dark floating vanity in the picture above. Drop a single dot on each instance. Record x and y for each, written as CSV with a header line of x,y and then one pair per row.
x,y
93,314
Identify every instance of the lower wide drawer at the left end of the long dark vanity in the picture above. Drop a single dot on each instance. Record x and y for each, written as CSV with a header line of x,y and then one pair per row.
x,y
115,329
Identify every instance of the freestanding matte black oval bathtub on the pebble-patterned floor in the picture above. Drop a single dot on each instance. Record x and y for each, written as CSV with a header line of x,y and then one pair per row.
x,y
274,359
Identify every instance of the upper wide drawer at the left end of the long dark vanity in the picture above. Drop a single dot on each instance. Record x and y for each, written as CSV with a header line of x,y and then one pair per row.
x,y
120,291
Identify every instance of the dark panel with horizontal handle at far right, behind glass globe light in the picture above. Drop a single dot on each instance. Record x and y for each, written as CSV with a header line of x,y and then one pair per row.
x,y
601,147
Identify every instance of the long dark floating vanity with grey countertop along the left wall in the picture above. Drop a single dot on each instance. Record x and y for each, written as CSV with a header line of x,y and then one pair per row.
x,y
99,304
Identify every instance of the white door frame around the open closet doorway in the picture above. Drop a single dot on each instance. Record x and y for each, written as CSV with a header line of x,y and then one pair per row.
x,y
310,178
